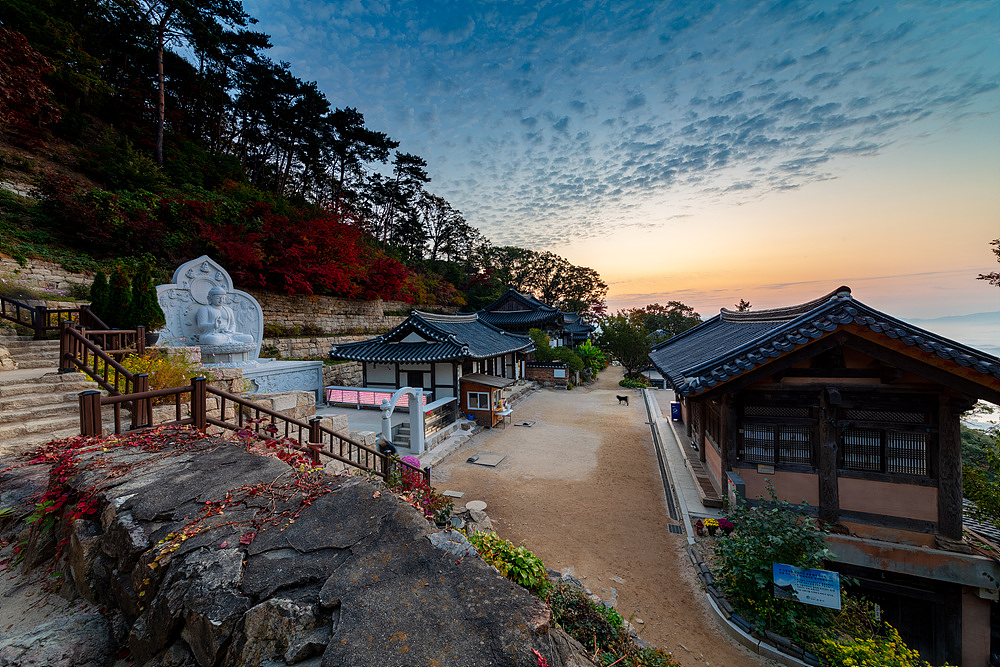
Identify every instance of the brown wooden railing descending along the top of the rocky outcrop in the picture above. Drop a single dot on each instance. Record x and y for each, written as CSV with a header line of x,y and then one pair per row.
x,y
247,418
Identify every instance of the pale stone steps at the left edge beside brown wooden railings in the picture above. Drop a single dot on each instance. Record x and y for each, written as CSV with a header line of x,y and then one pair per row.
x,y
36,403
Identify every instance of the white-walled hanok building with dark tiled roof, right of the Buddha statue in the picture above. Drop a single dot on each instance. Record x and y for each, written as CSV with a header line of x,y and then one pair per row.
x,y
433,352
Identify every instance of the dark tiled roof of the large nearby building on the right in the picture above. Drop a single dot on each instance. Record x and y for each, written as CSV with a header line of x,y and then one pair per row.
x,y
732,342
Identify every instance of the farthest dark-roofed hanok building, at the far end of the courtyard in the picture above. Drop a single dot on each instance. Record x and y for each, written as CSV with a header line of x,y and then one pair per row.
x,y
518,313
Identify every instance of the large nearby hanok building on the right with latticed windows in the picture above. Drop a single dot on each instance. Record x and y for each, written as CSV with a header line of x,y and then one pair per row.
x,y
857,413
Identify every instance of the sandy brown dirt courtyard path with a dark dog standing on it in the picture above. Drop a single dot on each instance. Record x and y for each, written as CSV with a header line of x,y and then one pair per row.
x,y
581,488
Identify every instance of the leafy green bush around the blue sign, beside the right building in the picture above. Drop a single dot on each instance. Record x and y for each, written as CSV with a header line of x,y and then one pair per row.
x,y
772,532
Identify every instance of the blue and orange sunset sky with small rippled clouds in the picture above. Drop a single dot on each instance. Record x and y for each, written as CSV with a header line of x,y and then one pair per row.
x,y
694,151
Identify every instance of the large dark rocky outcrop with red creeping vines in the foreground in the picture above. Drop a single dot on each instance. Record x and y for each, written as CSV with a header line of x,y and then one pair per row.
x,y
212,555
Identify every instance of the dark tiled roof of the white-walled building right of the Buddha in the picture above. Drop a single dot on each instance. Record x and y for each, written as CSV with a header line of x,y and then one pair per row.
x,y
448,337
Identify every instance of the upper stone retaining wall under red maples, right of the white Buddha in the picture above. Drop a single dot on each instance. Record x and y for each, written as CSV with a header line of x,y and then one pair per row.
x,y
331,314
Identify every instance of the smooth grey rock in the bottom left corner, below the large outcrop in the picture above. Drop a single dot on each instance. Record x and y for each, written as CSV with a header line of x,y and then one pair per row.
x,y
84,640
